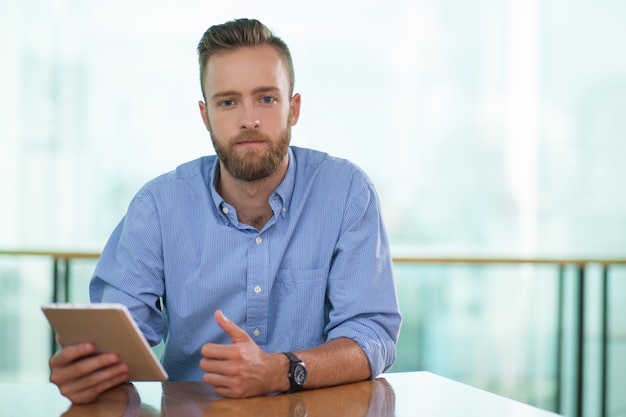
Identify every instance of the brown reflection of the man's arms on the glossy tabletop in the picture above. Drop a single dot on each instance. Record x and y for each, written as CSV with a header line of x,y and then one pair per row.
x,y
196,399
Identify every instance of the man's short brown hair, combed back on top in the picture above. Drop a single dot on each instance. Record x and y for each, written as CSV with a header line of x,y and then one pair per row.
x,y
241,33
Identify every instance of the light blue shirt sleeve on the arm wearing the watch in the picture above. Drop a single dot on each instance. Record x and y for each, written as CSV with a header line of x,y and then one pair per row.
x,y
362,293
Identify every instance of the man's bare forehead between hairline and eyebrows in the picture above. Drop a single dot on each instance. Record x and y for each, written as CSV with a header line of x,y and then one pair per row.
x,y
245,69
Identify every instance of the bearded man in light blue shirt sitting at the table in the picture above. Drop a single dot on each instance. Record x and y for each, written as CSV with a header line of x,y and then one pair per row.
x,y
265,268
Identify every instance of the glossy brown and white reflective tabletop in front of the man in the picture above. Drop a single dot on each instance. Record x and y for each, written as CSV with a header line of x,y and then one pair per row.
x,y
397,394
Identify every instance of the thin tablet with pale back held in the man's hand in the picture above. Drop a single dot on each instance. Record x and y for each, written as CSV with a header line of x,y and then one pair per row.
x,y
111,328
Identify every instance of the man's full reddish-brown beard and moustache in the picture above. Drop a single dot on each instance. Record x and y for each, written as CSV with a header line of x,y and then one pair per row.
x,y
252,164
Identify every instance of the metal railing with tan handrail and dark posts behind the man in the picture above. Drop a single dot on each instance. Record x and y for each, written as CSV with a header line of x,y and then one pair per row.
x,y
61,265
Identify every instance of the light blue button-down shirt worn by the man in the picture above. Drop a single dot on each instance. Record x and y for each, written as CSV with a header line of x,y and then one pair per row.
x,y
319,269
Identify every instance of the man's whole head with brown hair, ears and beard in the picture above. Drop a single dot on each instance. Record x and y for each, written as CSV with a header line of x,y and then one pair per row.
x,y
249,107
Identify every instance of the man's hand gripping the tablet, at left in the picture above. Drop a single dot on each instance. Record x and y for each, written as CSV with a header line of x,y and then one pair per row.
x,y
82,376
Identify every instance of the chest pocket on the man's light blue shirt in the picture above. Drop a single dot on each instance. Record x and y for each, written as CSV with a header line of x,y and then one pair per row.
x,y
299,304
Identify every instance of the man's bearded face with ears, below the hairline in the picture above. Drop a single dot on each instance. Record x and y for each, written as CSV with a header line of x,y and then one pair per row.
x,y
248,110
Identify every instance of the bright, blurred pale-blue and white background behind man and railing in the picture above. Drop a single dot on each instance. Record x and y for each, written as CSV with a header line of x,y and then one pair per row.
x,y
491,129
